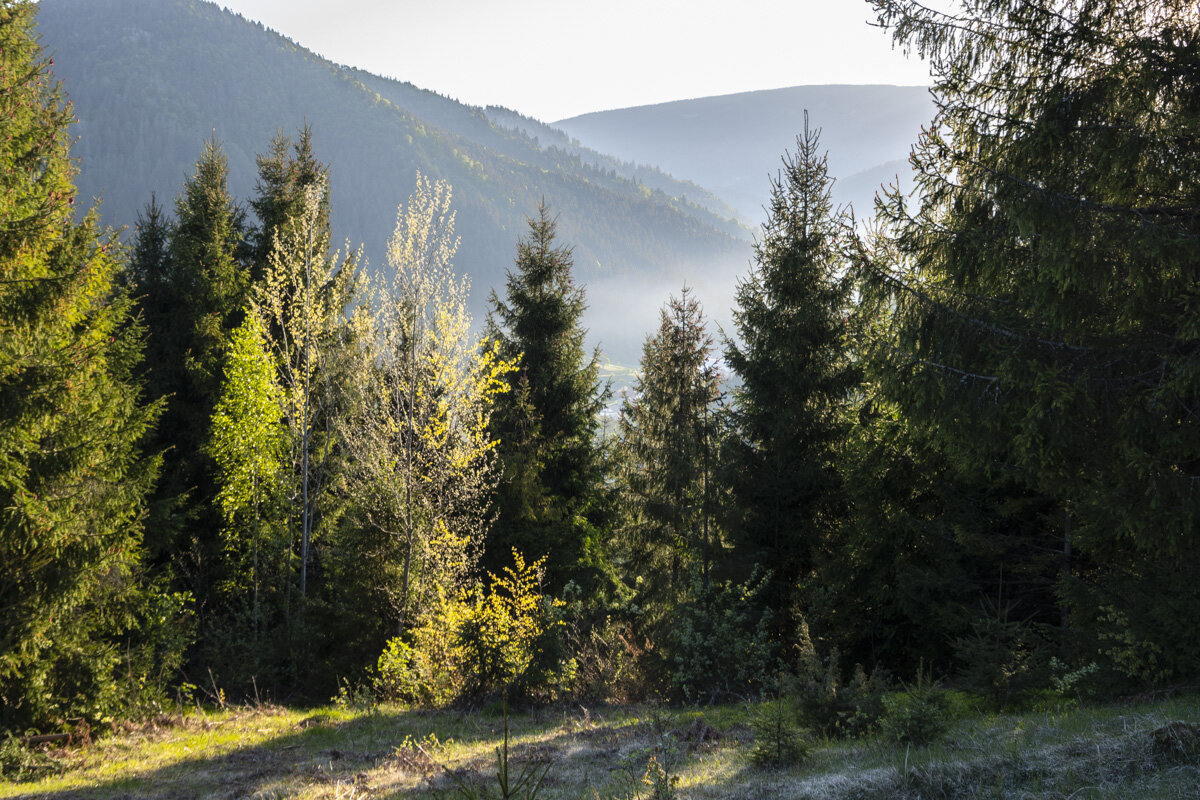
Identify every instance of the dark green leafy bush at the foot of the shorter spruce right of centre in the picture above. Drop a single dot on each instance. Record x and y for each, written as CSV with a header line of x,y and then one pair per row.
x,y
722,645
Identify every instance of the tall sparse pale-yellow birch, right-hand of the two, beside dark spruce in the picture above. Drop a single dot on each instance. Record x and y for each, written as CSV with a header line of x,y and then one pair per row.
x,y
423,460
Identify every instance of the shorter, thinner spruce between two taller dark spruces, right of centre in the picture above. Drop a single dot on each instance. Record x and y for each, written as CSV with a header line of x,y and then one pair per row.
x,y
667,428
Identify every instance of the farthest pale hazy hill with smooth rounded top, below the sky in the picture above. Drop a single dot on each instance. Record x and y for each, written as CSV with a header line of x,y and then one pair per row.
x,y
731,143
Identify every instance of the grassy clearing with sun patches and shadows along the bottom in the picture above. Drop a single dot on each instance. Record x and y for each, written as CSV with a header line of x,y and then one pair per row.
x,y
1106,753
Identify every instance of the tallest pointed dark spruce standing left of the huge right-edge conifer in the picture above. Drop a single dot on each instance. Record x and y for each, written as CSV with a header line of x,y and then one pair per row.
x,y
795,378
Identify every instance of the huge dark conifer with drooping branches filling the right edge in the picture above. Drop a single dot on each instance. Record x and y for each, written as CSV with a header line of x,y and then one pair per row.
x,y
1041,302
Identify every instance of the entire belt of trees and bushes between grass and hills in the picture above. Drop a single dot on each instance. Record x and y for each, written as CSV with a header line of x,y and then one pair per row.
x,y
956,448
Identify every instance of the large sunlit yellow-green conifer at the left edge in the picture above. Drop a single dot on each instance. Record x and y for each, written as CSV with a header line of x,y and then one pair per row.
x,y
73,480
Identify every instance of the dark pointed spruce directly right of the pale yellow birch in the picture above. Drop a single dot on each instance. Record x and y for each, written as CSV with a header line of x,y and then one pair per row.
x,y
551,498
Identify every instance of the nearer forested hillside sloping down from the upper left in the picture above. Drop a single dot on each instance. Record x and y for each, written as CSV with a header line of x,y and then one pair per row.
x,y
151,80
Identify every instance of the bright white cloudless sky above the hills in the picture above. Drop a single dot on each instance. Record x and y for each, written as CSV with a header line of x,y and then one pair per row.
x,y
553,59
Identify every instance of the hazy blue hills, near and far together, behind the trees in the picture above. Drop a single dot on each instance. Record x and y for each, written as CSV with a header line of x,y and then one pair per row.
x,y
651,199
